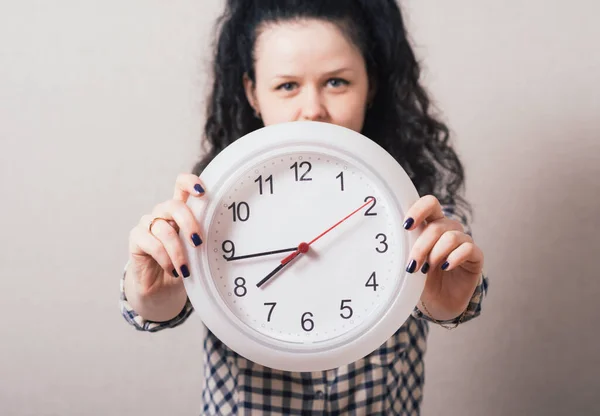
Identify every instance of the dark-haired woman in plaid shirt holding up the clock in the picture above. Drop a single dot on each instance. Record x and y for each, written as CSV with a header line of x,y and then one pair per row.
x,y
344,62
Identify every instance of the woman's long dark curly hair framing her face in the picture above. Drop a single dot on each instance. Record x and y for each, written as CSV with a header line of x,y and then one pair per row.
x,y
399,118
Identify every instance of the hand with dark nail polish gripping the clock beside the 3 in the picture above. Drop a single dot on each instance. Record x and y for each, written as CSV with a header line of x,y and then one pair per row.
x,y
449,257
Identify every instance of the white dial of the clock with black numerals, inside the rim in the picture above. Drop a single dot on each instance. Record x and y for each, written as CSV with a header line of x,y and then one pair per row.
x,y
346,277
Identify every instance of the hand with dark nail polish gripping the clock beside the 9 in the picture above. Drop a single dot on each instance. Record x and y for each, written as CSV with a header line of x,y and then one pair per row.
x,y
157,257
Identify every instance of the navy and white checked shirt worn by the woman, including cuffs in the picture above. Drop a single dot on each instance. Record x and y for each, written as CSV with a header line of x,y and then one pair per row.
x,y
387,381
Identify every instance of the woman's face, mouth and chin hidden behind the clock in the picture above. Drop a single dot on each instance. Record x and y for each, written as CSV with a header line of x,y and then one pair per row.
x,y
308,70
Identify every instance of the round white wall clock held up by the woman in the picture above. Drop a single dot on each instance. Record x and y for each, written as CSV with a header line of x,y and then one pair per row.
x,y
303,266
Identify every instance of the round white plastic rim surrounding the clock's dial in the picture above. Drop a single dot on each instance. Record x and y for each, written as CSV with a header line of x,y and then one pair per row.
x,y
200,287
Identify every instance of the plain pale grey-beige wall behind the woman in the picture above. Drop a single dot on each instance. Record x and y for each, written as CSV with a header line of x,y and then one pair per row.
x,y
101,108
